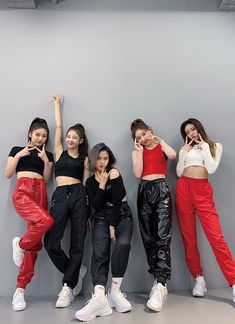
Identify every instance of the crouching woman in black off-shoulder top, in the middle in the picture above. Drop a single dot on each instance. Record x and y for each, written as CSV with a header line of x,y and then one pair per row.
x,y
112,222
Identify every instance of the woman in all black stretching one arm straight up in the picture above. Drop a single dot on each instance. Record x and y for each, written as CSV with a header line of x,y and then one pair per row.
x,y
69,203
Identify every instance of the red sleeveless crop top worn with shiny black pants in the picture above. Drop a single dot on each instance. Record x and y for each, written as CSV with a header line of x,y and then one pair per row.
x,y
154,161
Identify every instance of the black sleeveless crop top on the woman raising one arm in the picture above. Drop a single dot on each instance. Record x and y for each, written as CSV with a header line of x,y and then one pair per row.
x,y
69,166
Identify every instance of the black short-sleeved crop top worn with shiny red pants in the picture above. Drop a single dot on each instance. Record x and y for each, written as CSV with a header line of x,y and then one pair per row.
x,y
32,162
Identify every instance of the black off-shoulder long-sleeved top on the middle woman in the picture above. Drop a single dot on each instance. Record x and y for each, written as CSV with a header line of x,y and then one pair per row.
x,y
112,196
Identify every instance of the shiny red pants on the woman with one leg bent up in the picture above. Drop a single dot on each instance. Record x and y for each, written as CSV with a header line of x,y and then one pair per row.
x,y
30,201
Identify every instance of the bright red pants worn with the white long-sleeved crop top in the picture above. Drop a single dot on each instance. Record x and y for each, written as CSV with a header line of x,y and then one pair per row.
x,y
196,195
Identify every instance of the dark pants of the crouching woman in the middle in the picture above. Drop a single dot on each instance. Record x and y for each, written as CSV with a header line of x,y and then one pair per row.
x,y
101,243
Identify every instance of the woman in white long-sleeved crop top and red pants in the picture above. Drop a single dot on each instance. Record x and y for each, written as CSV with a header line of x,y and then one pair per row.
x,y
199,157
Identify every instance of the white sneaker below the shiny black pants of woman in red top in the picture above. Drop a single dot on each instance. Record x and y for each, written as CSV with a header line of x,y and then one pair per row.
x,y
156,297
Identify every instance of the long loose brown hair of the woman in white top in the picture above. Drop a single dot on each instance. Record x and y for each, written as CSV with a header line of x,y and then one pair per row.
x,y
201,130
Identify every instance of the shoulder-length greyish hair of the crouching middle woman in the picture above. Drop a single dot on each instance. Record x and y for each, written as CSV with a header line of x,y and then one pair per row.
x,y
93,155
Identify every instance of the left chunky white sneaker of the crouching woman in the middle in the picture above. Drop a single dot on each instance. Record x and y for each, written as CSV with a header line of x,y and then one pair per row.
x,y
96,306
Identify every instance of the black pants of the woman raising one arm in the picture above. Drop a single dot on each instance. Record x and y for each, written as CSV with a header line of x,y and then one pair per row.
x,y
68,203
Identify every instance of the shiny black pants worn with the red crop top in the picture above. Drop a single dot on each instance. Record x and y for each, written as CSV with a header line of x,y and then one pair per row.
x,y
155,220
